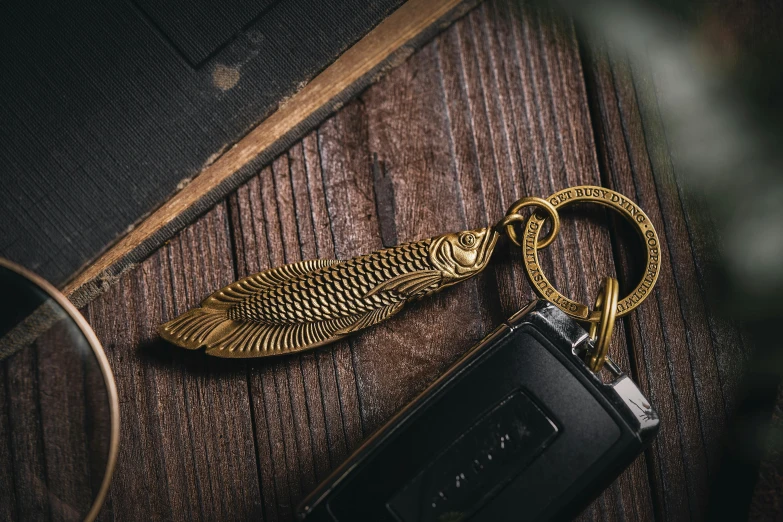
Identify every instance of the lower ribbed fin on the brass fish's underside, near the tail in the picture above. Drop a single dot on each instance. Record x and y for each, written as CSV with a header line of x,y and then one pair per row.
x,y
252,339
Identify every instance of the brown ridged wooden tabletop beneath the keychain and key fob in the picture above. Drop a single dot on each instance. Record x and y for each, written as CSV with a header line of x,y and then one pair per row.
x,y
496,107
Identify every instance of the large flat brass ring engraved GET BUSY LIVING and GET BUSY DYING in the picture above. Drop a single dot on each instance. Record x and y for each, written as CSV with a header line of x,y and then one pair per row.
x,y
607,198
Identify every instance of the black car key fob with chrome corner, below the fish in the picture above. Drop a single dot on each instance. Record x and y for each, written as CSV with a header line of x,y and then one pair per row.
x,y
518,429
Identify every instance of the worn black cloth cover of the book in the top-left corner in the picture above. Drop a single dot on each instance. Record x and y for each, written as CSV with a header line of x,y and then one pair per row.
x,y
107,107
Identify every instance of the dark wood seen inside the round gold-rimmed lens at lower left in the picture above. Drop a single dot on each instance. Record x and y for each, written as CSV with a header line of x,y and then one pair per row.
x,y
55,420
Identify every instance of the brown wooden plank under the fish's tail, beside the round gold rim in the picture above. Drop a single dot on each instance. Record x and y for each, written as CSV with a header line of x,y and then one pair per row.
x,y
187,448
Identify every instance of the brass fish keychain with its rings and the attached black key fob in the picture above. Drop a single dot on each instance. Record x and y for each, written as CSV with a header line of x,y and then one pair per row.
x,y
525,402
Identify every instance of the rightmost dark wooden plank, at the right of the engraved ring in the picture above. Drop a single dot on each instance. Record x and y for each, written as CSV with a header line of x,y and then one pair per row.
x,y
688,359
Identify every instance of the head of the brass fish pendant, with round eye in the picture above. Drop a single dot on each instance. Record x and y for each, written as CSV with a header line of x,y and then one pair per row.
x,y
460,255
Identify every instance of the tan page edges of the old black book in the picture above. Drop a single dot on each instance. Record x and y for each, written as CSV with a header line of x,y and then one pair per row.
x,y
363,63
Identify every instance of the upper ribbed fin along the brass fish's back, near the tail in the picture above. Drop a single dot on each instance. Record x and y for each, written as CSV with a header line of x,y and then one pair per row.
x,y
254,284
